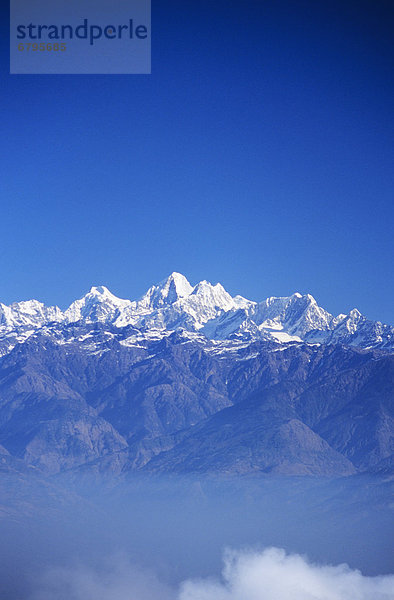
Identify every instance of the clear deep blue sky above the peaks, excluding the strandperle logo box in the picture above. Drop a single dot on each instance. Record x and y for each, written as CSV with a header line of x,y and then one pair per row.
x,y
259,154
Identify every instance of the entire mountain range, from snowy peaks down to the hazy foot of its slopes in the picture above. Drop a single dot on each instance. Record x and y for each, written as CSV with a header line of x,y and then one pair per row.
x,y
189,379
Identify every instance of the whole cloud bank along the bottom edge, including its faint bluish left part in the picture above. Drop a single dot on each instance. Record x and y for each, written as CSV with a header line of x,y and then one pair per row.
x,y
268,575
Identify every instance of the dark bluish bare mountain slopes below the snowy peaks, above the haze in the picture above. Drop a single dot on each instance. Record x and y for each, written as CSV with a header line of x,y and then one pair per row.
x,y
177,403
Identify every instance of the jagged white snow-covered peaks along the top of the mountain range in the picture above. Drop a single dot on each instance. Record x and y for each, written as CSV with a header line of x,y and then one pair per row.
x,y
205,309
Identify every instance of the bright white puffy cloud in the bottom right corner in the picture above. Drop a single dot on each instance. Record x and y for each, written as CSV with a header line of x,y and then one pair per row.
x,y
275,575
